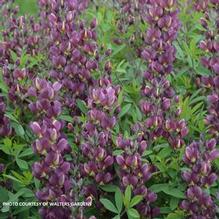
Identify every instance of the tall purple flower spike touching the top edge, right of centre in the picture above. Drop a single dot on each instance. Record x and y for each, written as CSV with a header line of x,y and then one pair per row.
x,y
163,27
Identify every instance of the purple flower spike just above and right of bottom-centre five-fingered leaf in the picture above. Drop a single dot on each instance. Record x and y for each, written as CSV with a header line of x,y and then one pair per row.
x,y
133,170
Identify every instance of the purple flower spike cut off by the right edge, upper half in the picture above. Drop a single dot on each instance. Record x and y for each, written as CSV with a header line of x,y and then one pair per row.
x,y
210,46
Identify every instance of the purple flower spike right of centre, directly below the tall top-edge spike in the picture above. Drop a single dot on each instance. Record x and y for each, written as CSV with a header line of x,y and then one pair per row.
x,y
162,117
